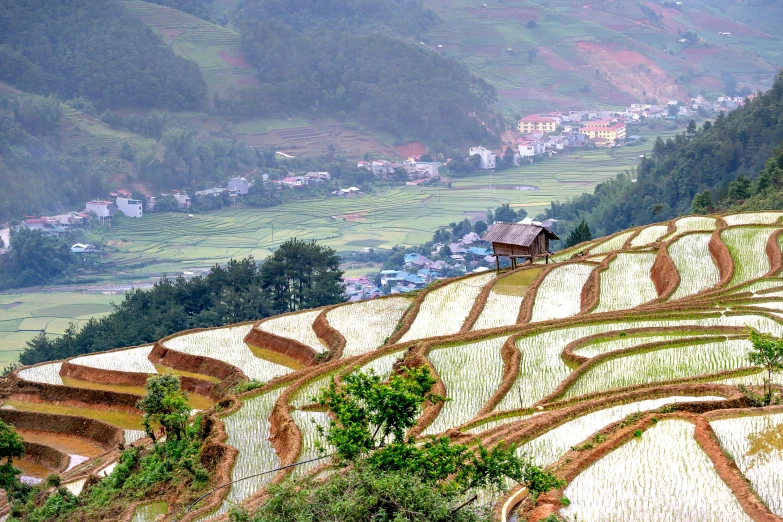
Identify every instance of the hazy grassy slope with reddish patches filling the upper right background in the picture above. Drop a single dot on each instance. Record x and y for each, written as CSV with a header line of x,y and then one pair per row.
x,y
565,39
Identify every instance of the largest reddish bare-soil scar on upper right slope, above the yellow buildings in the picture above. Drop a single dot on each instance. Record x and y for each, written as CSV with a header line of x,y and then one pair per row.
x,y
631,72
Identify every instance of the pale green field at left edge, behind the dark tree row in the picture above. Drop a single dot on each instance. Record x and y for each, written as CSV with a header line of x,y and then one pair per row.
x,y
22,316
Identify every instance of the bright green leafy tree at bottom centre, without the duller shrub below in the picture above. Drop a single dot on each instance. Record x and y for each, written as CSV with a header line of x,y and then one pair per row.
x,y
370,425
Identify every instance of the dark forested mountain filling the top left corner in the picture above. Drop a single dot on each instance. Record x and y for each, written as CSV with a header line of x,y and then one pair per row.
x,y
96,49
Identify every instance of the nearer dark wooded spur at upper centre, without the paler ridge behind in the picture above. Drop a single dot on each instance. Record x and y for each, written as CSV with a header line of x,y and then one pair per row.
x,y
384,83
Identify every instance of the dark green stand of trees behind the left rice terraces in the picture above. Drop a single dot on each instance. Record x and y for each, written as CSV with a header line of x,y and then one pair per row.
x,y
299,275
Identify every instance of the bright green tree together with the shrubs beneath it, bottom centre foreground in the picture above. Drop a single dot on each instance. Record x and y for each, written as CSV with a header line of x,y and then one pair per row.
x,y
393,477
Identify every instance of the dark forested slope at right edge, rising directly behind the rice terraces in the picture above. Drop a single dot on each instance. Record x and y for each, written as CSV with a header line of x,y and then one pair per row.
x,y
666,182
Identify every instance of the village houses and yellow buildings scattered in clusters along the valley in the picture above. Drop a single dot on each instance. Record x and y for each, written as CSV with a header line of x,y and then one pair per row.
x,y
538,136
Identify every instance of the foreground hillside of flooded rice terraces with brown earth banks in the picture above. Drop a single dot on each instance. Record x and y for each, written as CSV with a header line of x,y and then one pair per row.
x,y
599,384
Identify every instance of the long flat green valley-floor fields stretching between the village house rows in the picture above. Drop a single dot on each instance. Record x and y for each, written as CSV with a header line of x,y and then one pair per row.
x,y
397,216
